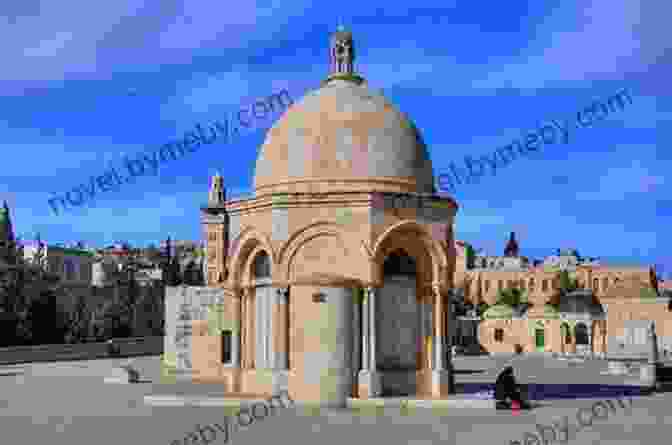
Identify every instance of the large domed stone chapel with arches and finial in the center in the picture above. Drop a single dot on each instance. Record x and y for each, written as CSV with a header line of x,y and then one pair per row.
x,y
337,272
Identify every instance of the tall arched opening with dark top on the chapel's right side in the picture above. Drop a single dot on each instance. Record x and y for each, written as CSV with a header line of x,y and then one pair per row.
x,y
398,324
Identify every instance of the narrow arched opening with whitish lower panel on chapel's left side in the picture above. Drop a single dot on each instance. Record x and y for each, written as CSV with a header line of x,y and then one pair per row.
x,y
263,306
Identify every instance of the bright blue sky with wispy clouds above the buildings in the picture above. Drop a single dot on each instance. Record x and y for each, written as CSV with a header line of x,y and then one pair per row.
x,y
81,90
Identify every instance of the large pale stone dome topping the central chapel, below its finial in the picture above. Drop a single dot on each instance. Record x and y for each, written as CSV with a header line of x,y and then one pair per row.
x,y
343,136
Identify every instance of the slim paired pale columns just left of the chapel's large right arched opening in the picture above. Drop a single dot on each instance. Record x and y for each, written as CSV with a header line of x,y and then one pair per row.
x,y
369,380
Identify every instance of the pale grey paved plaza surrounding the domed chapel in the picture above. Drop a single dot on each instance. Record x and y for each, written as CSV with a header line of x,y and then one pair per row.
x,y
68,403
